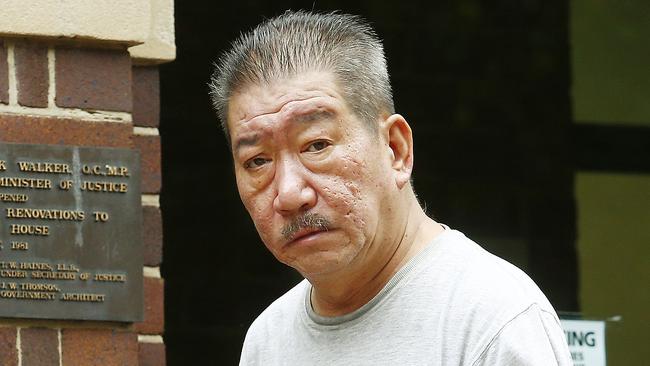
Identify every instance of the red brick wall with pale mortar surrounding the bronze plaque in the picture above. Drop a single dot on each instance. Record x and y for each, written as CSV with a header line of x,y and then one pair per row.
x,y
72,95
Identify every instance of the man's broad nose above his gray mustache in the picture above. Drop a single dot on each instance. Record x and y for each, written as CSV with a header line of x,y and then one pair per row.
x,y
294,192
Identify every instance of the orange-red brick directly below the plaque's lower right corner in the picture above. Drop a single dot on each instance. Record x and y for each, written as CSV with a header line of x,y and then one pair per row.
x,y
105,347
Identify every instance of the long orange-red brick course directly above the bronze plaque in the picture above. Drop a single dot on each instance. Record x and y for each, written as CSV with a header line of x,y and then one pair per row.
x,y
49,130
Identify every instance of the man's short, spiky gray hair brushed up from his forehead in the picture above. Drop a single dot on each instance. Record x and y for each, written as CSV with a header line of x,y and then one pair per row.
x,y
298,42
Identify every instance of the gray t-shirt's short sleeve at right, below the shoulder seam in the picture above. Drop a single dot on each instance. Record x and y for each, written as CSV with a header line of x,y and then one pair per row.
x,y
532,338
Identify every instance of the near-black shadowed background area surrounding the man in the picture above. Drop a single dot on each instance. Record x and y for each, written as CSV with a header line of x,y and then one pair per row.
x,y
485,86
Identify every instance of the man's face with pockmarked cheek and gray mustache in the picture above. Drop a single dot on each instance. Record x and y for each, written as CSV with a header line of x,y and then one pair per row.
x,y
312,176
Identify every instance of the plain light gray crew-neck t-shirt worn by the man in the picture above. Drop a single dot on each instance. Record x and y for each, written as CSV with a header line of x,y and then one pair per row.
x,y
452,304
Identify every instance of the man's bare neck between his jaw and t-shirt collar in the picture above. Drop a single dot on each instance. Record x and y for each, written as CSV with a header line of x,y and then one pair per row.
x,y
342,293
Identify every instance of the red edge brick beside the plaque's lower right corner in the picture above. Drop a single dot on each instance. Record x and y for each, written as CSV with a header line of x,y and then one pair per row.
x,y
154,309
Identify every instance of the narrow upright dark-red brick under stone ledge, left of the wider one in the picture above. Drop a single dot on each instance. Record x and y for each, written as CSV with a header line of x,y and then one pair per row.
x,y
32,76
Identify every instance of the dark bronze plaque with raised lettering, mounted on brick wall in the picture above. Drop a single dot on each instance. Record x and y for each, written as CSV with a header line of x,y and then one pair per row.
x,y
70,233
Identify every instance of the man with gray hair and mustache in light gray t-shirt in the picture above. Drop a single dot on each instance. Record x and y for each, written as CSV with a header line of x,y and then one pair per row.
x,y
323,166
